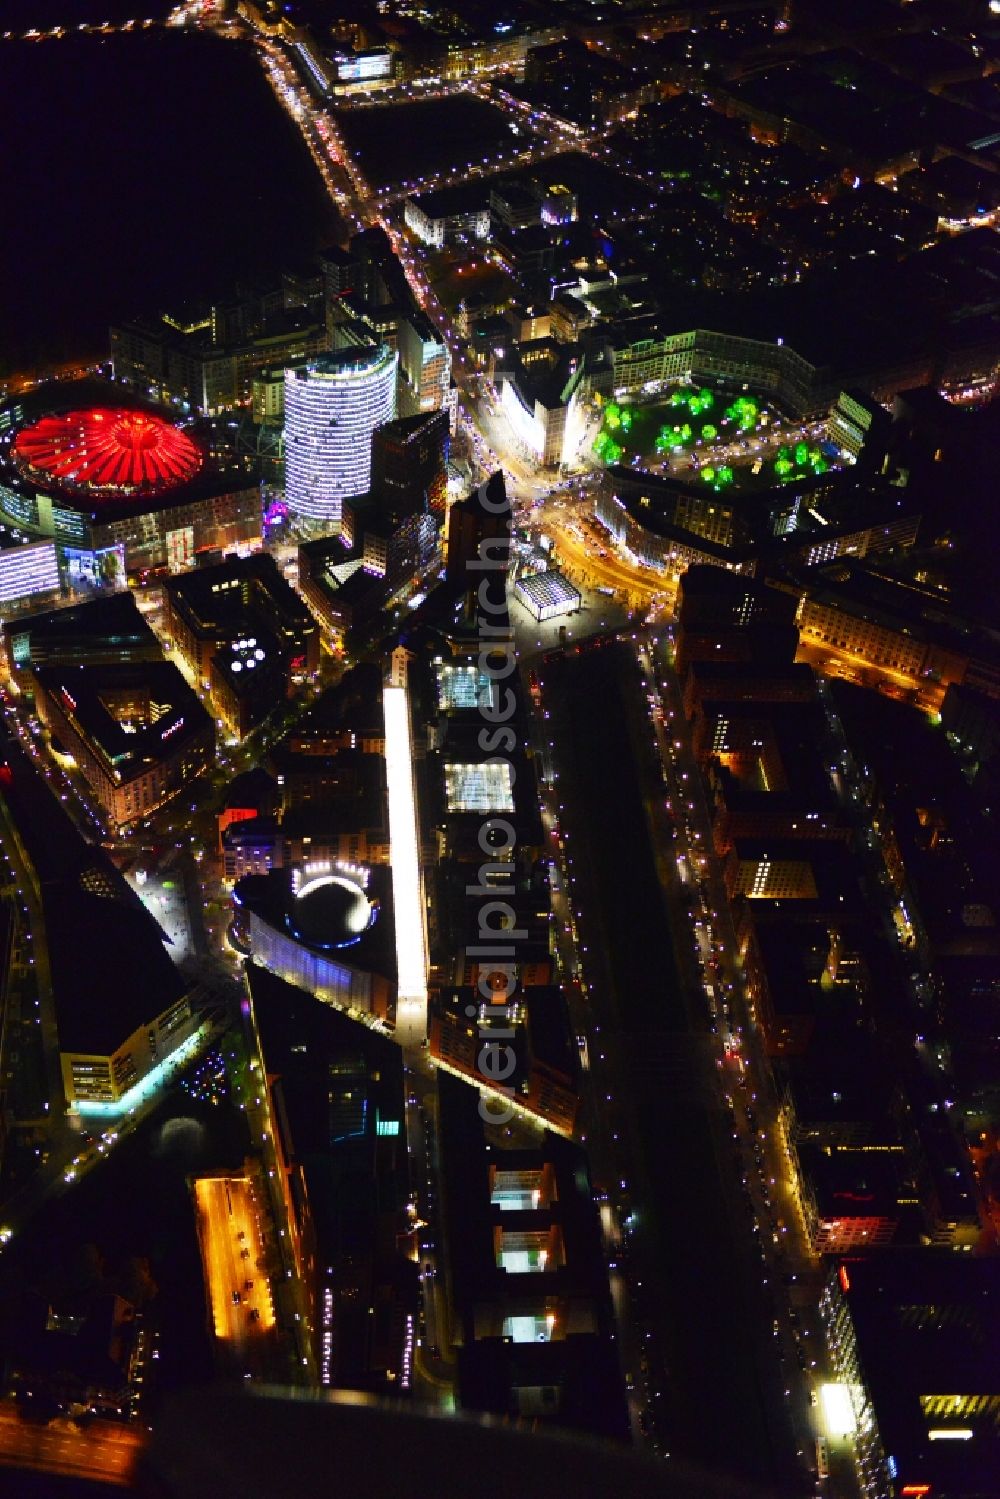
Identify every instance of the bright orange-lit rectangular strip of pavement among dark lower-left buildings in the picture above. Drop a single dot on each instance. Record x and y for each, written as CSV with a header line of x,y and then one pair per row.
x,y
233,1258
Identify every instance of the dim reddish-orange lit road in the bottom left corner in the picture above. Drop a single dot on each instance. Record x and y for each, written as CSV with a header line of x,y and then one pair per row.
x,y
104,1450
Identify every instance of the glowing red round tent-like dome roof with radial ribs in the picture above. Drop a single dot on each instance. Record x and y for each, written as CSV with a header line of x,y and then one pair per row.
x,y
109,450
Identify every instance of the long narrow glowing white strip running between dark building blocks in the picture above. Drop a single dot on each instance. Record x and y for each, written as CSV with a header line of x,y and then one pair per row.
x,y
409,905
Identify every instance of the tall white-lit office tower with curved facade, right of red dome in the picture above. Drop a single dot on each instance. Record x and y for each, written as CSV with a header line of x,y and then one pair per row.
x,y
332,408
